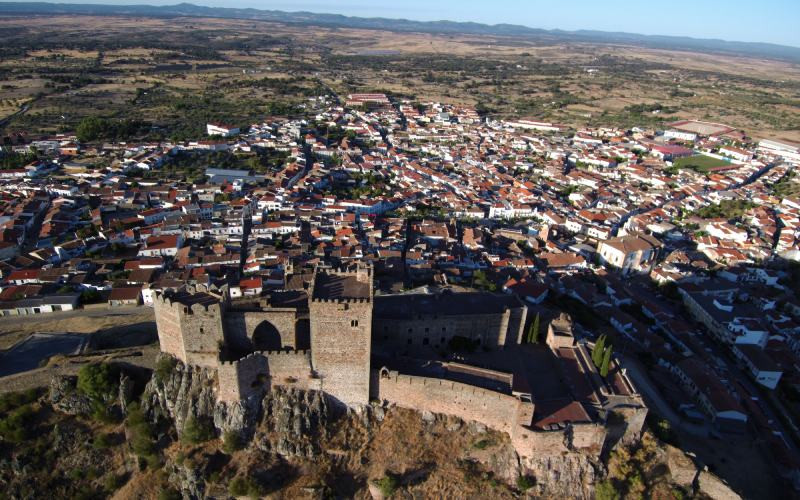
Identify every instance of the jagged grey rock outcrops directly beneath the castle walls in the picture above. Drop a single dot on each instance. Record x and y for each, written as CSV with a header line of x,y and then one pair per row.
x,y
301,427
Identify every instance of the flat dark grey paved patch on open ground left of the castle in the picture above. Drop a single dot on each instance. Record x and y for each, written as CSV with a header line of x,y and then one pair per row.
x,y
29,353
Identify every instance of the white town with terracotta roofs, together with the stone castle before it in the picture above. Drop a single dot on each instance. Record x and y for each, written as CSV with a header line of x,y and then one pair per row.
x,y
551,283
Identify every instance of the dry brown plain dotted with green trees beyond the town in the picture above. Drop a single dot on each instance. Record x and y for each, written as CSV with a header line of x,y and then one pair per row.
x,y
174,74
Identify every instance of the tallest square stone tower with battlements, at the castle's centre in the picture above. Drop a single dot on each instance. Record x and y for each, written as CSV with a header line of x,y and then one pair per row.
x,y
341,328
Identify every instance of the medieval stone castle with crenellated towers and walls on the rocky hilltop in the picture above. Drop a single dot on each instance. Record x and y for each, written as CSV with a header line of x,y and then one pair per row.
x,y
339,338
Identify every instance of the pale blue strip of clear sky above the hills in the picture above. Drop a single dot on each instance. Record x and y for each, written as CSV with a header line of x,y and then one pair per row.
x,y
776,21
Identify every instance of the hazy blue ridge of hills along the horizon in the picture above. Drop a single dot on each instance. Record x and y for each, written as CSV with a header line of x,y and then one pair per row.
x,y
762,50
